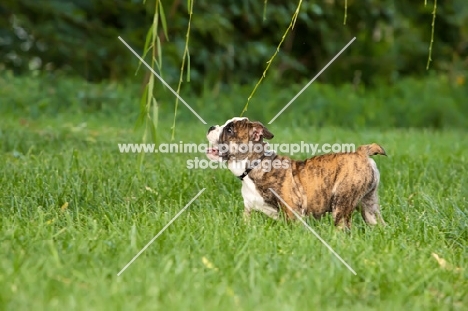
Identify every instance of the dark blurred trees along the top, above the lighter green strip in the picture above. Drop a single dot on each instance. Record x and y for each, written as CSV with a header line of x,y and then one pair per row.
x,y
231,40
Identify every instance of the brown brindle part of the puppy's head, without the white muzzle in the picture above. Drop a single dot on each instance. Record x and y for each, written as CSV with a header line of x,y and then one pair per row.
x,y
241,138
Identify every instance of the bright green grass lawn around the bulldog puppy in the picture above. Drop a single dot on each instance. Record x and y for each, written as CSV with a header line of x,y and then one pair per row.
x,y
56,257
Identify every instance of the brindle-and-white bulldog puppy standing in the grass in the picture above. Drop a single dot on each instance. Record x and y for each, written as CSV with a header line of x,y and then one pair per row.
x,y
334,183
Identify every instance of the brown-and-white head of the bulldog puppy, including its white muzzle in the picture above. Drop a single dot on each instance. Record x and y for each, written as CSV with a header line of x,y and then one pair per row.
x,y
231,139
